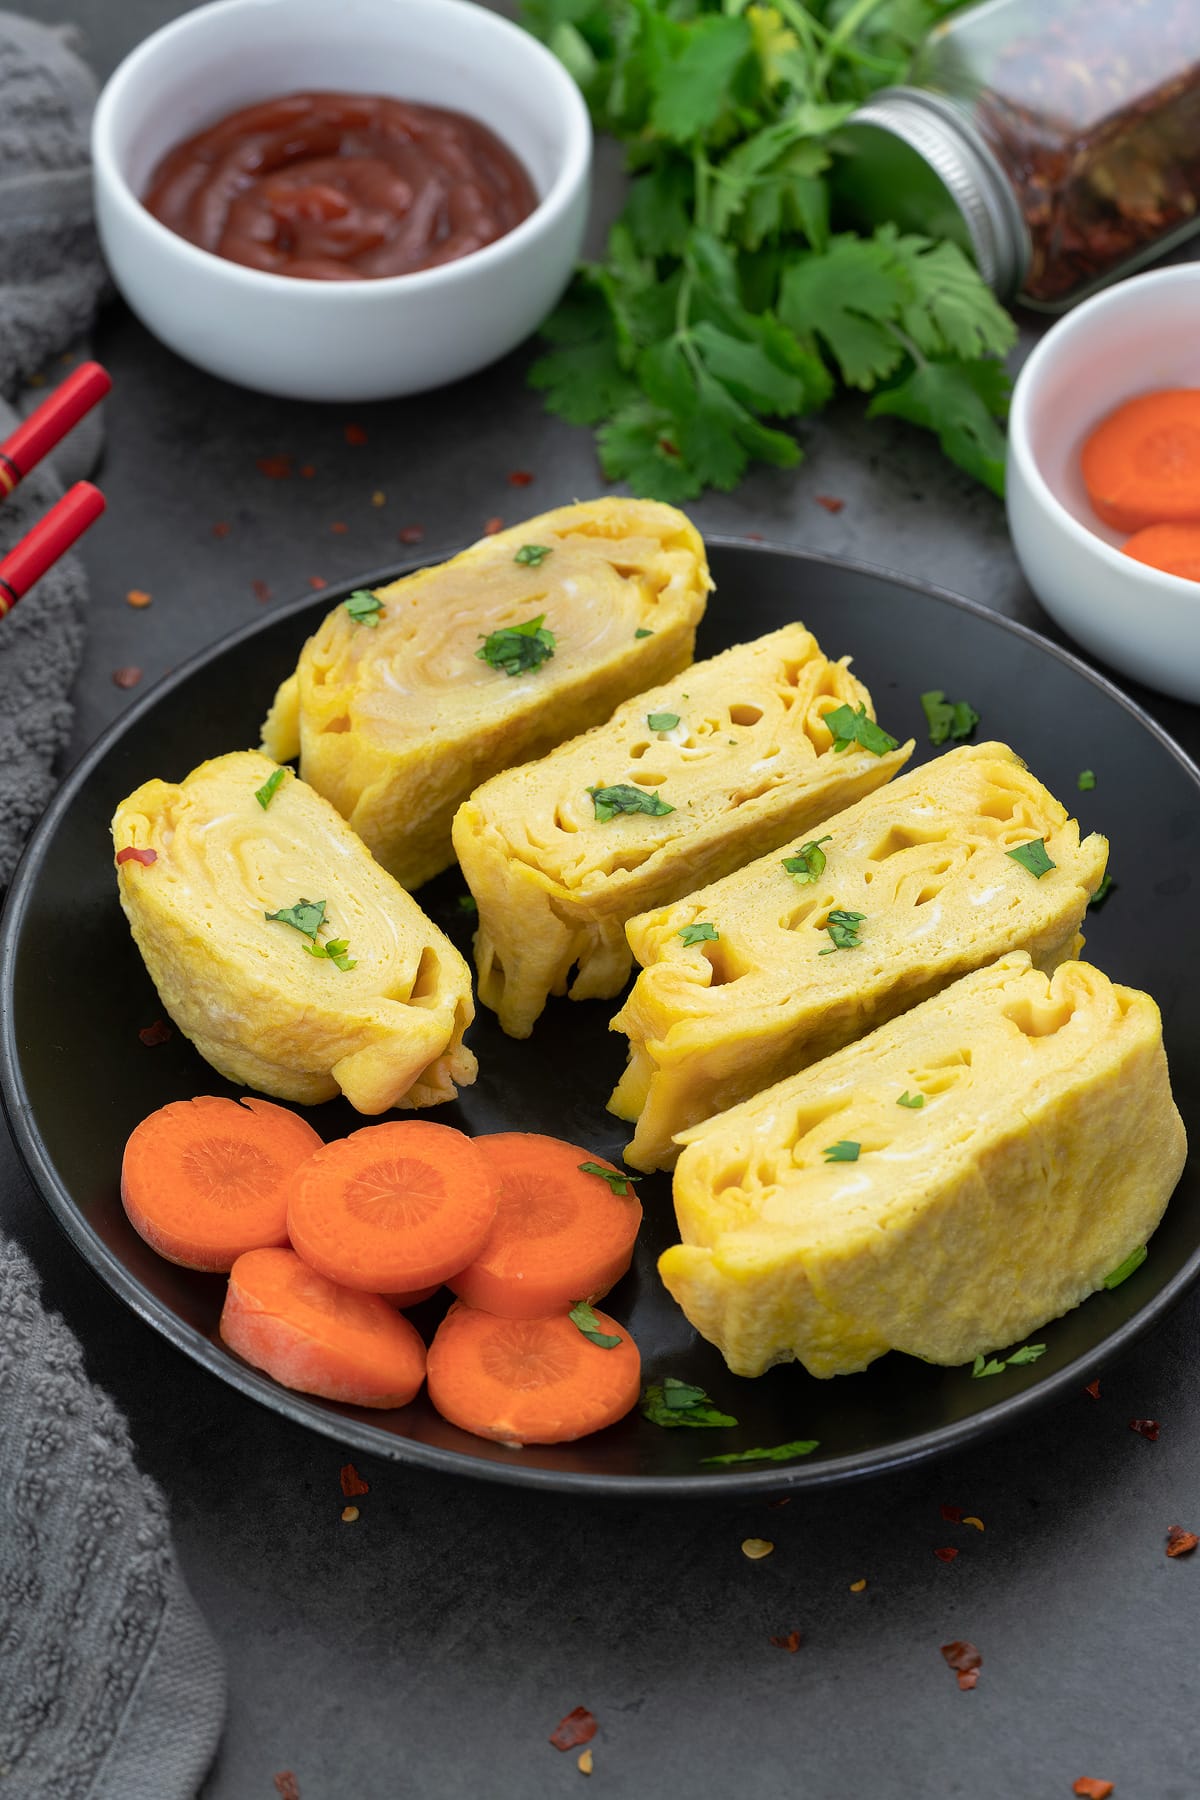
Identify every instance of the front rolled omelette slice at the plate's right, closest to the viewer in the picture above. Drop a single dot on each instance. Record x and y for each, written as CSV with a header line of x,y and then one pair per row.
x,y
1041,1156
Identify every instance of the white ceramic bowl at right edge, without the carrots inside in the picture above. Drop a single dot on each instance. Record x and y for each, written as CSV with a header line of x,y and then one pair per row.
x,y
1140,336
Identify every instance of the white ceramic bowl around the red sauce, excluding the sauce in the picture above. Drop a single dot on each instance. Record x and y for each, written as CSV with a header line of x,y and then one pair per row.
x,y
341,339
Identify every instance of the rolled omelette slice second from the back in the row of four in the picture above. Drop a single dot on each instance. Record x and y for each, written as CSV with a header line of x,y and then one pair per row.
x,y
740,753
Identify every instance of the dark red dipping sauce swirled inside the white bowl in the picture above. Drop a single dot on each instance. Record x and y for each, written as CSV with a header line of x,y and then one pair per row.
x,y
341,188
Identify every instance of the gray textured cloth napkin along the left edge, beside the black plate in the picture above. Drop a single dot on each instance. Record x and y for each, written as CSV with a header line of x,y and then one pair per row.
x,y
111,1686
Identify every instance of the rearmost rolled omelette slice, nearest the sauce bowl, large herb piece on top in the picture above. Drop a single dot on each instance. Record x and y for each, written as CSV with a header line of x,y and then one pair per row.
x,y
397,719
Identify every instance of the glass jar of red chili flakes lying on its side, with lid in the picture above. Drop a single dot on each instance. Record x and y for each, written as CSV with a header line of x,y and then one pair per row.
x,y
1059,141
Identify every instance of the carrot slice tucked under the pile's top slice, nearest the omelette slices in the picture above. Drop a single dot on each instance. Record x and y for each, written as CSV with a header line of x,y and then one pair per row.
x,y
559,1236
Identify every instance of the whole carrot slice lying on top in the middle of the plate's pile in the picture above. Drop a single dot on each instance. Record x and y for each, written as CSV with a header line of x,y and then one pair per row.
x,y
393,1207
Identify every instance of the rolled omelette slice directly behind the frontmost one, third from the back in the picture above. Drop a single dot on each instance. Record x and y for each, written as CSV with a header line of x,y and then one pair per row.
x,y
917,888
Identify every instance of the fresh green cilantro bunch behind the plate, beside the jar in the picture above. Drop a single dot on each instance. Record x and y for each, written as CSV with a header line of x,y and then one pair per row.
x,y
726,305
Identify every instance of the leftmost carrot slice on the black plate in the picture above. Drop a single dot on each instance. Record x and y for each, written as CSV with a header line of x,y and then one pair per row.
x,y
206,1180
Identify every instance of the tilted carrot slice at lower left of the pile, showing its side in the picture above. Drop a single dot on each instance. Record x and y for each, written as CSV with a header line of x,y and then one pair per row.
x,y
319,1338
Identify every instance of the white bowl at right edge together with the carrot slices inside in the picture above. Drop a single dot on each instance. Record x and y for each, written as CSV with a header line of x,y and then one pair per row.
x,y
1104,478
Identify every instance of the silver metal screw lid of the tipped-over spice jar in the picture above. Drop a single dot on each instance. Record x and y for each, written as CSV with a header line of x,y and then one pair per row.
x,y
945,139
